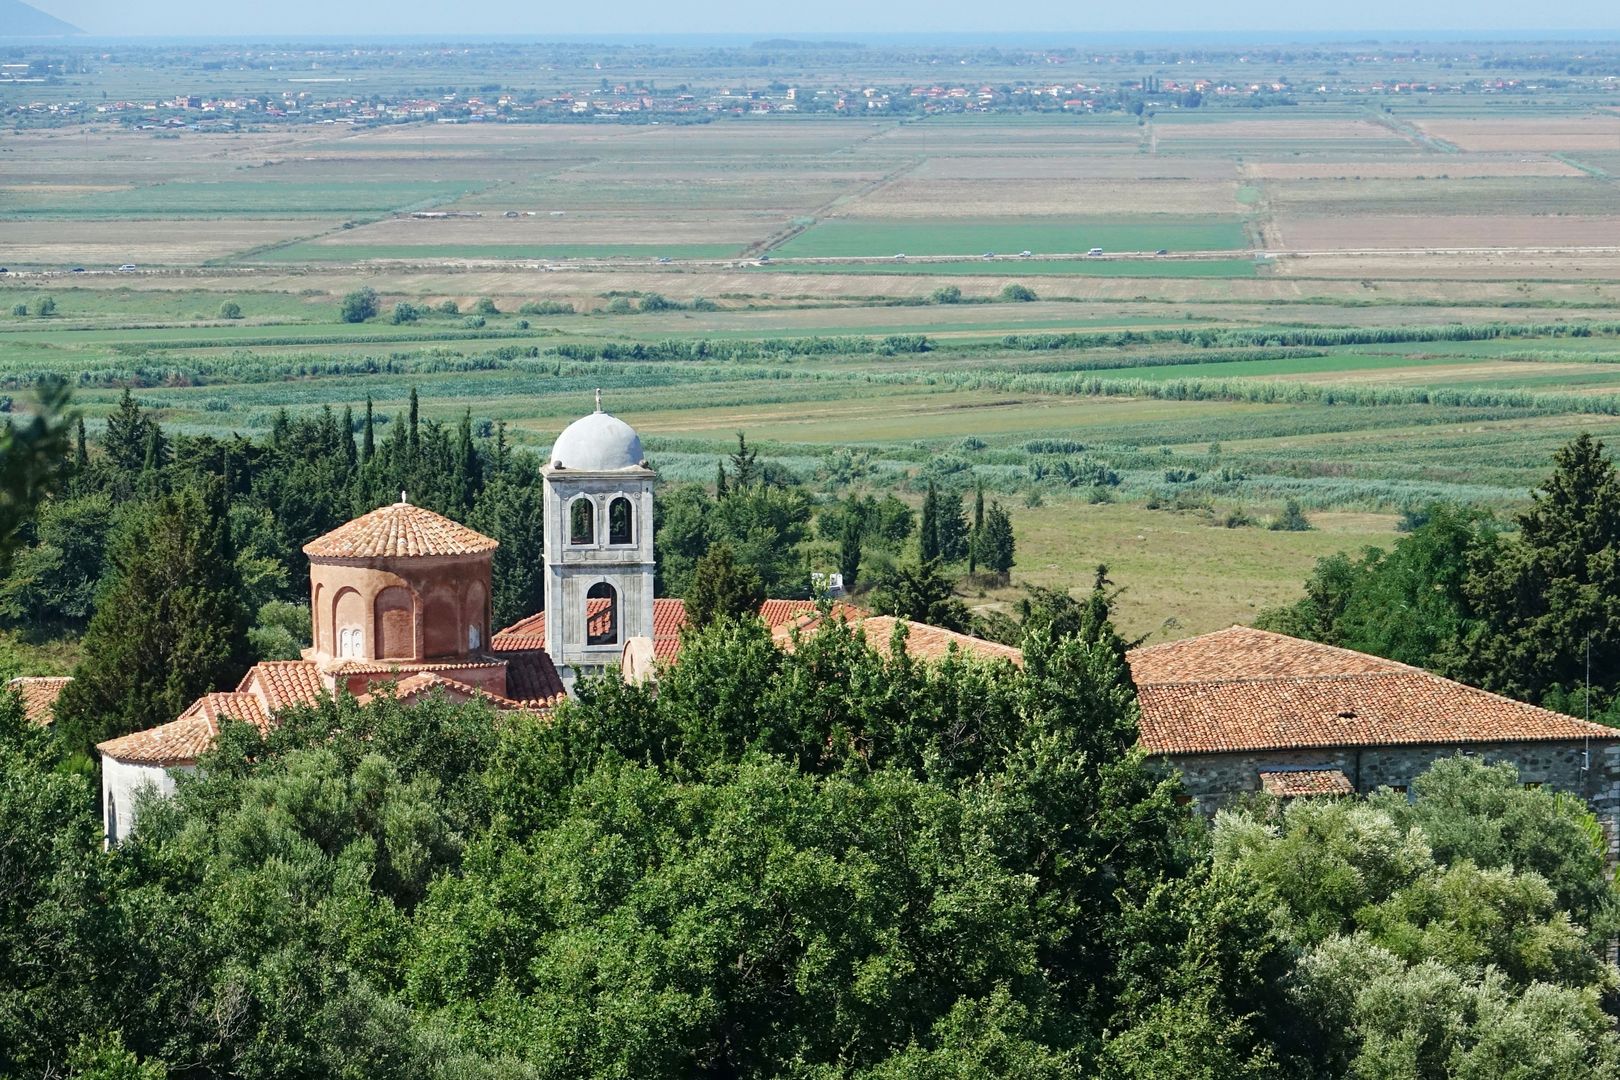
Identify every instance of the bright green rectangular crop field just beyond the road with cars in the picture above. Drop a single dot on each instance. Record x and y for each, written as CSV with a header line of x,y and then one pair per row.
x,y
1073,236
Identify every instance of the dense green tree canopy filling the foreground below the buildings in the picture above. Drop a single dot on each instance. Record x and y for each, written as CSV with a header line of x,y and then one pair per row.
x,y
824,862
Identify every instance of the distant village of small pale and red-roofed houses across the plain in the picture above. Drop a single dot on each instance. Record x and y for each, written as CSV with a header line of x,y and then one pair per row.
x,y
318,95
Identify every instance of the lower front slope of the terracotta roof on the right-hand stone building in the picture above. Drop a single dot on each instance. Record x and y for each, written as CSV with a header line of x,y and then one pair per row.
x,y
1375,710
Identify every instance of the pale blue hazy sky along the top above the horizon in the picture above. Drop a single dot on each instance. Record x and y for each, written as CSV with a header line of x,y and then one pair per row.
x,y
824,17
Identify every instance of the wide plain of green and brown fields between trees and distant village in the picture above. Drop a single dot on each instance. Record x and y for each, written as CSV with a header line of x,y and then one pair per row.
x,y
1358,310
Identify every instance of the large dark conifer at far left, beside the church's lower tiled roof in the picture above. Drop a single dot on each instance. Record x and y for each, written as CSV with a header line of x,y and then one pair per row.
x,y
168,627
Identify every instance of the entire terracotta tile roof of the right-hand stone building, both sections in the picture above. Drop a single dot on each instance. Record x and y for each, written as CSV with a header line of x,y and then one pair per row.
x,y
1248,691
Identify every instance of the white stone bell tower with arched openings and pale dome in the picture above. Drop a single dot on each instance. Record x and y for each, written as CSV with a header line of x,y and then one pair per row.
x,y
599,509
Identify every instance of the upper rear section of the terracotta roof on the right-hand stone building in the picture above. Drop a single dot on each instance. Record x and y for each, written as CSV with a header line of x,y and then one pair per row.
x,y
1248,653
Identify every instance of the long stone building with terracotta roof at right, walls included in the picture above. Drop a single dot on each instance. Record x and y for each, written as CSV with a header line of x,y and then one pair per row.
x,y
1247,712
